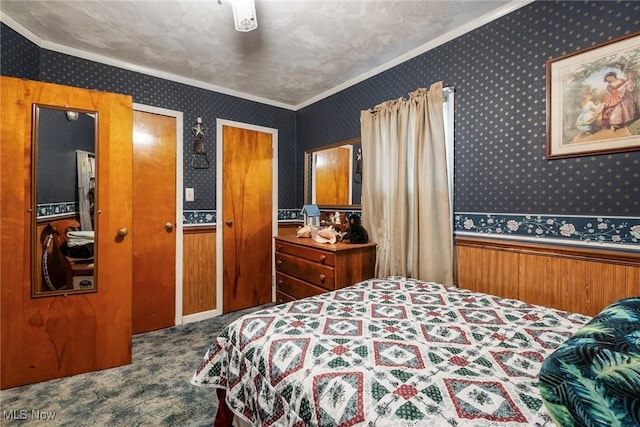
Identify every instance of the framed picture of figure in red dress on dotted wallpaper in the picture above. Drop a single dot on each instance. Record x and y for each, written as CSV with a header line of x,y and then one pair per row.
x,y
593,100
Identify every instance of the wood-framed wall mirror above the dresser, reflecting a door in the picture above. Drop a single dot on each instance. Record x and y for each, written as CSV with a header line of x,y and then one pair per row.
x,y
333,175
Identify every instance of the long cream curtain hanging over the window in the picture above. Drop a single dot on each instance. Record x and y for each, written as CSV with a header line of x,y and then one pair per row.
x,y
405,195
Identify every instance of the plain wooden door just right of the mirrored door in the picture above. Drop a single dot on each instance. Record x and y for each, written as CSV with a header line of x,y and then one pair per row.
x,y
154,216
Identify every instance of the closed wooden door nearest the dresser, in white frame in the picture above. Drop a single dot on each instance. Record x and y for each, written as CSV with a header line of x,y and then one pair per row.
x,y
246,220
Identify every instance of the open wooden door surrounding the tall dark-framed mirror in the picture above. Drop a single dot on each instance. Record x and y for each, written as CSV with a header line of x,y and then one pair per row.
x,y
48,337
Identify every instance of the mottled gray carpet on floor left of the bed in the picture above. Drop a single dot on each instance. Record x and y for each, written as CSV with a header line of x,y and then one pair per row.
x,y
153,391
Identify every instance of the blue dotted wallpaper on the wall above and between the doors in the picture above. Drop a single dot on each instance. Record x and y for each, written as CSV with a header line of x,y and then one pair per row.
x,y
194,102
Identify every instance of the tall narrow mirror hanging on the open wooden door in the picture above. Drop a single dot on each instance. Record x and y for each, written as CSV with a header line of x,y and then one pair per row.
x,y
64,194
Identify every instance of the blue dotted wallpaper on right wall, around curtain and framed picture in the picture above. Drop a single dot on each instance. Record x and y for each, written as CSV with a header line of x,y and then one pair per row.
x,y
498,72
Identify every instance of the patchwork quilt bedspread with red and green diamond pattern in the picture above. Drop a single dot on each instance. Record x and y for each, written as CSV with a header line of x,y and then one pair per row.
x,y
392,352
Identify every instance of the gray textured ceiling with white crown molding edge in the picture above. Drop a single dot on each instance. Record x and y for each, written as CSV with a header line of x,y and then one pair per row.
x,y
301,51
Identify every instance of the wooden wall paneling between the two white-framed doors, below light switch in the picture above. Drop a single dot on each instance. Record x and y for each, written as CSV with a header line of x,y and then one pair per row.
x,y
199,270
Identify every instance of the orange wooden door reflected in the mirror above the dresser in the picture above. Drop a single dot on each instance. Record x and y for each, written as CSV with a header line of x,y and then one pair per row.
x,y
333,176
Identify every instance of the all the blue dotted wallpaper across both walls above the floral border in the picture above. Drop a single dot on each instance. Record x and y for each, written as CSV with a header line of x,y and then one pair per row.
x,y
498,71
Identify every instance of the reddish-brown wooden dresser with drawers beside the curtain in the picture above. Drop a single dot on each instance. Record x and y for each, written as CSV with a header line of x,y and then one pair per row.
x,y
305,268
